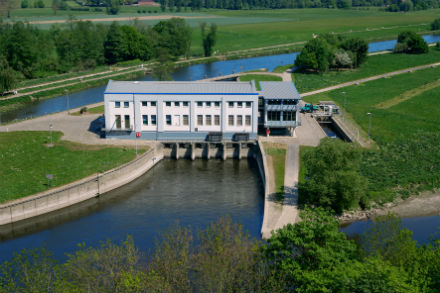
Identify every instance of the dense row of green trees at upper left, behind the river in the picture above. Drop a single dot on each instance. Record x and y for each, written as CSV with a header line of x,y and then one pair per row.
x,y
27,52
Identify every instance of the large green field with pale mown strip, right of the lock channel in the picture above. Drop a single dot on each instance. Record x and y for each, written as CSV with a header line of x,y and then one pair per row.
x,y
405,122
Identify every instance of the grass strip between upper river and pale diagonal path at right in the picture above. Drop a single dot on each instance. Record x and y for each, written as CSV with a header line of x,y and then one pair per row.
x,y
377,64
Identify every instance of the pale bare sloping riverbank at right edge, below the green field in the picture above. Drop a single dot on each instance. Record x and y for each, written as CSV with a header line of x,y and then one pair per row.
x,y
425,204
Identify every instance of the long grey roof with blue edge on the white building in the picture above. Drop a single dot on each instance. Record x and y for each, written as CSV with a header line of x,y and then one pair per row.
x,y
181,87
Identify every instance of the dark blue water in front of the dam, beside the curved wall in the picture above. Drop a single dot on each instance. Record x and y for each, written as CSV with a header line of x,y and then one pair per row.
x,y
193,193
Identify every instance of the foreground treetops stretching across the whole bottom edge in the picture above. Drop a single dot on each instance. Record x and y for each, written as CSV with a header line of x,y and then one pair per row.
x,y
310,256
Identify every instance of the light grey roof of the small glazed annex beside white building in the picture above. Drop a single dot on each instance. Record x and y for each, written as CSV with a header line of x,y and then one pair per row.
x,y
279,90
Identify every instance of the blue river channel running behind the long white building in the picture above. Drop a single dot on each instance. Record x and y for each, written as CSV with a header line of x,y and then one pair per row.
x,y
192,72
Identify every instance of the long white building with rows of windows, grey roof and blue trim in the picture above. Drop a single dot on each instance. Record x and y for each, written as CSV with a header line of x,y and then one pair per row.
x,y
181,110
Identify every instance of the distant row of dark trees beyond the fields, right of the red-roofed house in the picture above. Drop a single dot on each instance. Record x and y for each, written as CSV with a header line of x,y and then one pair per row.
x,y
390,5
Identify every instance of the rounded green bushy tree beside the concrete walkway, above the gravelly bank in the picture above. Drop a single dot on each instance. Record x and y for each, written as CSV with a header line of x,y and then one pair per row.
x,y
333,179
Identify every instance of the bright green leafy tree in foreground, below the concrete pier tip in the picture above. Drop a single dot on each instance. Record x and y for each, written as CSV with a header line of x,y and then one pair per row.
x,y
301,254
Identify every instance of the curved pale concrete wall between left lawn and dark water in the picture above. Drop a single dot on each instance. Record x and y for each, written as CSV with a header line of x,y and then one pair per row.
x,y
79,191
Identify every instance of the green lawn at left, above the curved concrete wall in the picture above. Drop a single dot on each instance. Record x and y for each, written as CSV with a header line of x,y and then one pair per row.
x,y
25,160
